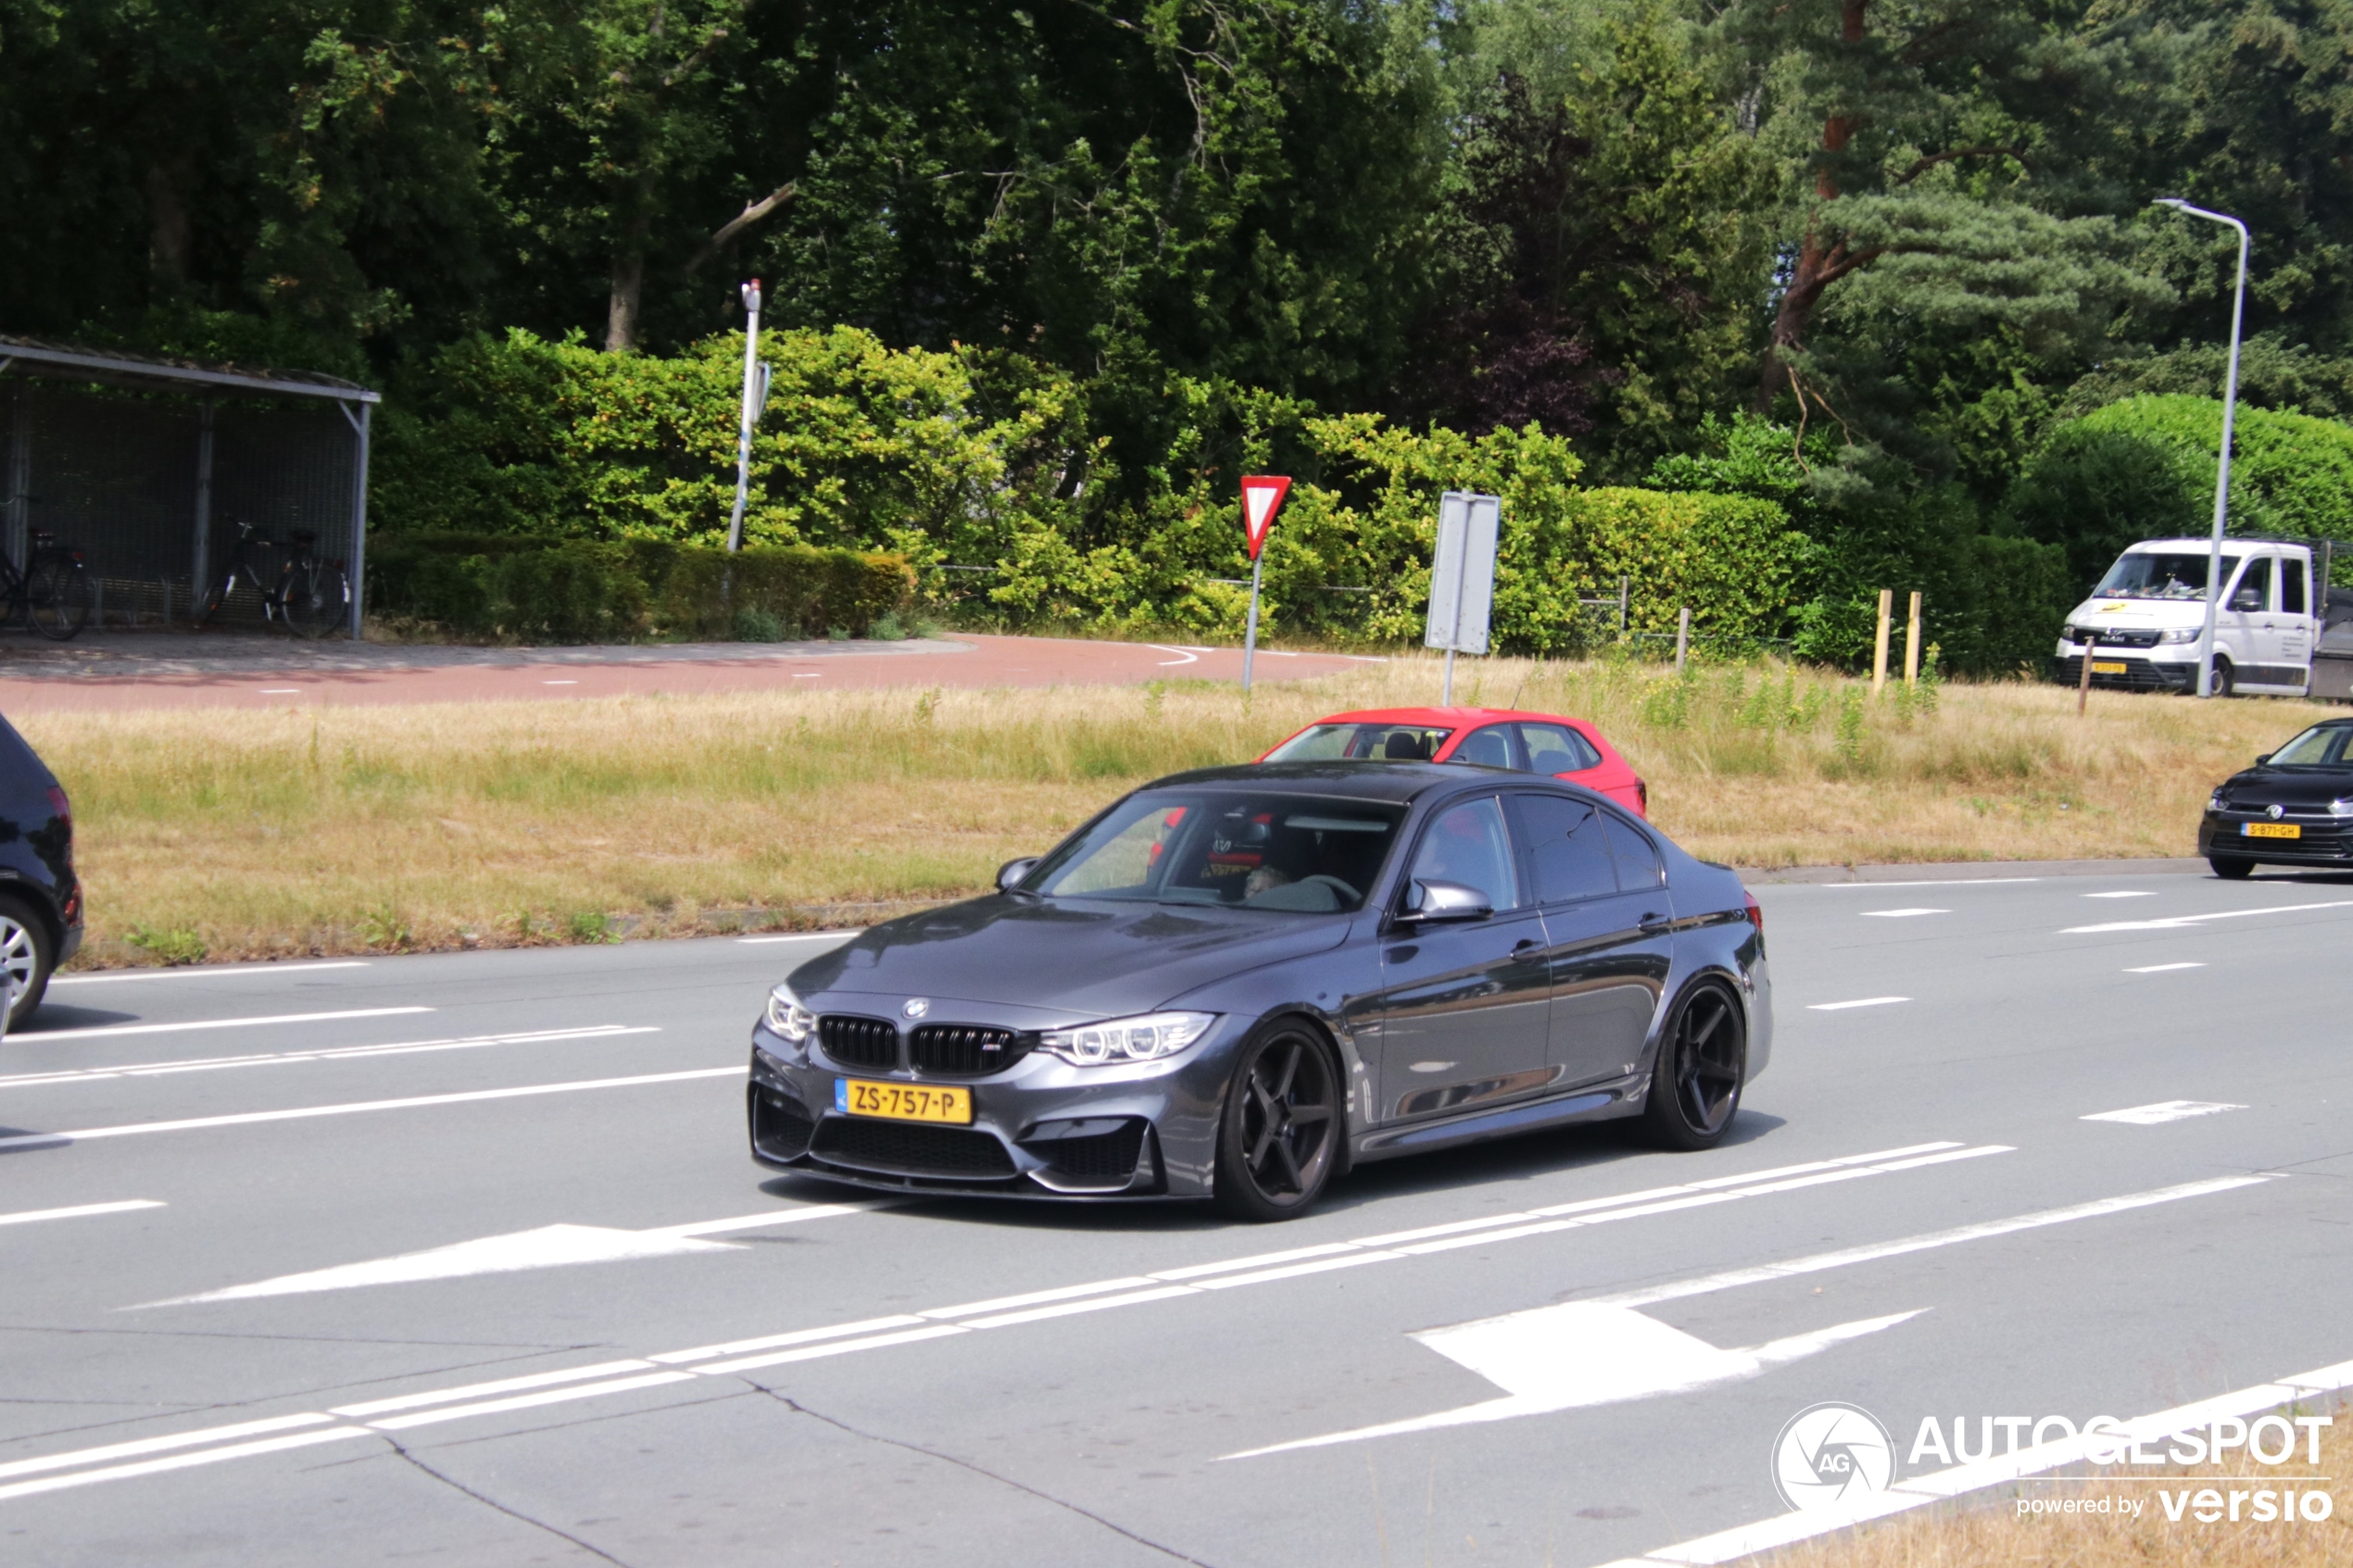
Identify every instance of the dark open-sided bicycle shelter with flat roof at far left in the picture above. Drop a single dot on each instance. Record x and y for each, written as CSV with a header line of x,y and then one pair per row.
x,y
149,467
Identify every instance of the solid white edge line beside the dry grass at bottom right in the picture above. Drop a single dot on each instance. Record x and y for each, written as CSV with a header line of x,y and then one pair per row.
x,y
1964,1480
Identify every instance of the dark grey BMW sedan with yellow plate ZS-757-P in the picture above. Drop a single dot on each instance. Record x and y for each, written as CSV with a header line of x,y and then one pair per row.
x,y
1241,981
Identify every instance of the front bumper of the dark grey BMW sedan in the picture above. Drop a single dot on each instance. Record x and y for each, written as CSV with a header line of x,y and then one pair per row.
x,y
1039,1130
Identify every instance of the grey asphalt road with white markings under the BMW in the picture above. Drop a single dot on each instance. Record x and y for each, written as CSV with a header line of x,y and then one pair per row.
x,y
324,1205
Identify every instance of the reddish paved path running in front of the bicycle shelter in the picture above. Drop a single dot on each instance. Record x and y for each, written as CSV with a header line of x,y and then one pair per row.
x,y
258,674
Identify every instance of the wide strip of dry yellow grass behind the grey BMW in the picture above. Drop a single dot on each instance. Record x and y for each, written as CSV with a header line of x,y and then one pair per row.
x,y
321,831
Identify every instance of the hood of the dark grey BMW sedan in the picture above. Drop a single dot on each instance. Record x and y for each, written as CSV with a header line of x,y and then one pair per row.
x,y
1065,958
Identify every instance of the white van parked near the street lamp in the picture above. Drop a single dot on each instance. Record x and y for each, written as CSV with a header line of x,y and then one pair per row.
x,y
2145,619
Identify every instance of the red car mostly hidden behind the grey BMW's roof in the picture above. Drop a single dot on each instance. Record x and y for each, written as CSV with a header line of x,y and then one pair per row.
x,y
1484,737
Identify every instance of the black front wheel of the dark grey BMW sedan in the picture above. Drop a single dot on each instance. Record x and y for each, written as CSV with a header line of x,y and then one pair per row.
x,y
1281,1130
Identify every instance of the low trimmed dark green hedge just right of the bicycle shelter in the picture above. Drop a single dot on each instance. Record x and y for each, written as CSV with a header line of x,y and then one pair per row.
x,y
615,591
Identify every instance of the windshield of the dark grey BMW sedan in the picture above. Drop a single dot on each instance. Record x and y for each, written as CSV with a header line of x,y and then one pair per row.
x,y
1258,852
